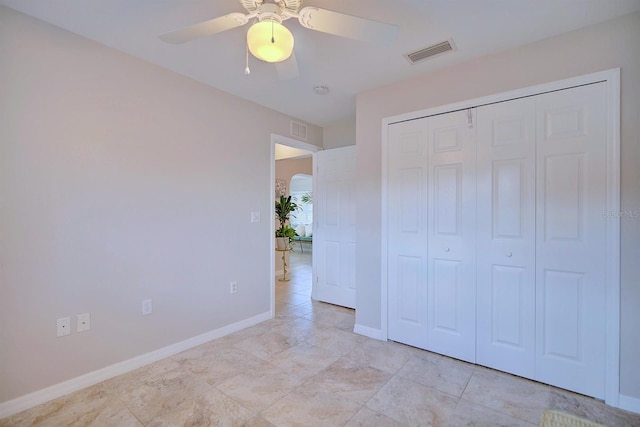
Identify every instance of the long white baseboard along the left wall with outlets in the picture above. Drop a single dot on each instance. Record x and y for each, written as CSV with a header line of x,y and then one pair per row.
x,y
30,400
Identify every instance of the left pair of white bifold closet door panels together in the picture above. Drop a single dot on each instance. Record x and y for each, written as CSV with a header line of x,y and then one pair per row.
x,y
431,232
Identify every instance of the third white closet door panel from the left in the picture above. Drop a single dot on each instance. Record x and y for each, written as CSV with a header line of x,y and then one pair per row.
x,y
506,237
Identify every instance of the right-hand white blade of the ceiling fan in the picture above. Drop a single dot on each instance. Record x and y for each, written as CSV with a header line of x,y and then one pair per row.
x,y
344,25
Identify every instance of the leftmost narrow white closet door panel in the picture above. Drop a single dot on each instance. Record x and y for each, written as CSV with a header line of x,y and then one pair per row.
x,y
407,232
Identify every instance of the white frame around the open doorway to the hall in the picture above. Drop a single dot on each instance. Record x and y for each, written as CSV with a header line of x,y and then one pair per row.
x,y
294,143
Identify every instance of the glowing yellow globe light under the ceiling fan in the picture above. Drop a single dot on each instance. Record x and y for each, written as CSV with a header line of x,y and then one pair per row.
x,y
270,41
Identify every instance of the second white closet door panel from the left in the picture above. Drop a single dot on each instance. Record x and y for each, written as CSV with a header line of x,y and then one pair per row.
x,y
451,267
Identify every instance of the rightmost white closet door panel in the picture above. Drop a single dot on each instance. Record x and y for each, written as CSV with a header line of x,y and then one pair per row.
x,y
571,239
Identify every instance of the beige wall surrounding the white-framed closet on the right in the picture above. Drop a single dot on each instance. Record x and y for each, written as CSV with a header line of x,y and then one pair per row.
x,y
608,45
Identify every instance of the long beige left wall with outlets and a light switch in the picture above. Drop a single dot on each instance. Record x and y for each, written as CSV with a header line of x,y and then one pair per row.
x,y
121,181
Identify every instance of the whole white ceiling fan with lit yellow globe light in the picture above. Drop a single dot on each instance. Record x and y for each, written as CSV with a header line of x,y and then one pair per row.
x,y
270,41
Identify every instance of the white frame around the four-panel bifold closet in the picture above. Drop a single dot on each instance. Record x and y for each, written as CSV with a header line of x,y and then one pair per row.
x,y
611,78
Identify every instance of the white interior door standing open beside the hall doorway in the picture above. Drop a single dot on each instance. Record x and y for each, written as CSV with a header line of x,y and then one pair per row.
x,y
334,238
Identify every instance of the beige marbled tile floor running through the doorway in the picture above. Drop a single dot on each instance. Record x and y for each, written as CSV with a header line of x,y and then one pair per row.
x,y
306,367
